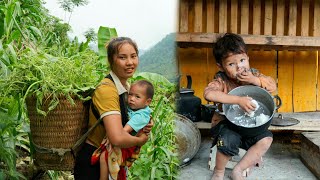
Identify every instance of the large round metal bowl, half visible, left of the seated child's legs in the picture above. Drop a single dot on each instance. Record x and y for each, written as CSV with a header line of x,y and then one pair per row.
x,y
188,138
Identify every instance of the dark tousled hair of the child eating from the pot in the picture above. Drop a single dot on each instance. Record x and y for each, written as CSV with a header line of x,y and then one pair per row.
x,y
228,44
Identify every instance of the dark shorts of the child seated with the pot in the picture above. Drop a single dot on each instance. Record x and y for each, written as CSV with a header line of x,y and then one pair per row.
x,y
229,141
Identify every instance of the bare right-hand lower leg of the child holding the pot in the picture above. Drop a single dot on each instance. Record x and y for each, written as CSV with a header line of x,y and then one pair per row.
x,y
252,156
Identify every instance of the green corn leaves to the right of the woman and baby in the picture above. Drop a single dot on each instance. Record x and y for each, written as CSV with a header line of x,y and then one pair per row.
x,y
158,157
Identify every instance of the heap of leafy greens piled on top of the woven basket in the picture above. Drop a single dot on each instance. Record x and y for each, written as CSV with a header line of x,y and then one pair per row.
x,y
45,77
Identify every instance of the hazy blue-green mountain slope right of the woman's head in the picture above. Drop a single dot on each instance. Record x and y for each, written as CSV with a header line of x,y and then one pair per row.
x,y
161,58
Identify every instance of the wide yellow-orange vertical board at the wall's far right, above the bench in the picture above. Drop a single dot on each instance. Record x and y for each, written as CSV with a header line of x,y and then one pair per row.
x,y
304,81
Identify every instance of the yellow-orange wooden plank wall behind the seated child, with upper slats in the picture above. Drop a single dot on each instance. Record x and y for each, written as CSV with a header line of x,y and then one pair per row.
x,y
296,72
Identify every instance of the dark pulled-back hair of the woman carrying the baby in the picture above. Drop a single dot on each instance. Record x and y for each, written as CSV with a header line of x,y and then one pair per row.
x,y
115,44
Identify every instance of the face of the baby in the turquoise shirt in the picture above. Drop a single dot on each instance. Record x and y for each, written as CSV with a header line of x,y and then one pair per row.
x,y
137,98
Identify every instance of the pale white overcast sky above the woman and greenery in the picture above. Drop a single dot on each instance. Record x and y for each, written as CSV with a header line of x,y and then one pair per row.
x,y
145,21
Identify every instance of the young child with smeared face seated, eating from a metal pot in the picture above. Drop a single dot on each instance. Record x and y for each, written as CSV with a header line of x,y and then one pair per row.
x,y
233,62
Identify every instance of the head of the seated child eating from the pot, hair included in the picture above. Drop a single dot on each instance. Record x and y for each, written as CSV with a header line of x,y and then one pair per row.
x,y
230,53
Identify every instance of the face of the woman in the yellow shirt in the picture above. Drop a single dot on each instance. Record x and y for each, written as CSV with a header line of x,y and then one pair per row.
x,y
125,62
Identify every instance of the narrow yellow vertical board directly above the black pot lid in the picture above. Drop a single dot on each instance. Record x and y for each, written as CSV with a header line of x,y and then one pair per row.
x,y
285,80
